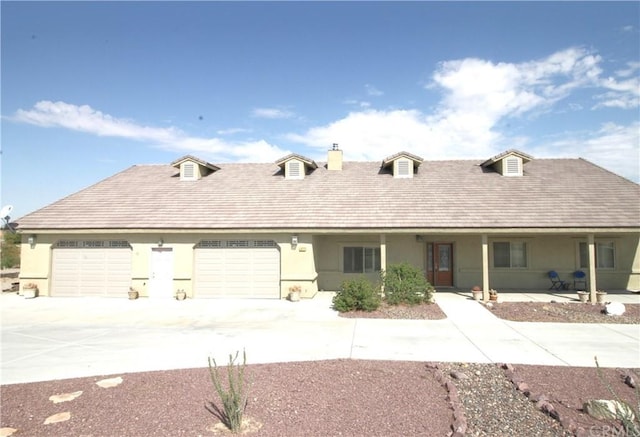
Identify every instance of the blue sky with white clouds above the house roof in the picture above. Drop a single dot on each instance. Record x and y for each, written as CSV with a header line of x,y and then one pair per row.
x,y
92,88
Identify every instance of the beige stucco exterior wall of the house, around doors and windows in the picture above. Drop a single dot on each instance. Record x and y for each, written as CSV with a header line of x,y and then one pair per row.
x,y
315,263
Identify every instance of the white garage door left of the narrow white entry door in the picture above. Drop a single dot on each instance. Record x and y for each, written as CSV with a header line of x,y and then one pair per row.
x,y
91,268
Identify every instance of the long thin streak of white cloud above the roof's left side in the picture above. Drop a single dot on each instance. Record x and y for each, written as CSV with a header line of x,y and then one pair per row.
x,y
89,120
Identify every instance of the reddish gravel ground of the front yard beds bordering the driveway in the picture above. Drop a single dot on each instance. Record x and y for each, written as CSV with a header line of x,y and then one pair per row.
x,y
342,397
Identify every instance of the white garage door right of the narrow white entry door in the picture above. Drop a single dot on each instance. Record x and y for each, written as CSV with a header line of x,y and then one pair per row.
x,y
237,268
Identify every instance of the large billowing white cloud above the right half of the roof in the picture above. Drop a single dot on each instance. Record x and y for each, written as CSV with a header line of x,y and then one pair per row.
x,y
478,96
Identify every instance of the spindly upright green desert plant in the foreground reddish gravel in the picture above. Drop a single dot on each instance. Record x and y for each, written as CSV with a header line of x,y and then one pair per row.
x,y
233,394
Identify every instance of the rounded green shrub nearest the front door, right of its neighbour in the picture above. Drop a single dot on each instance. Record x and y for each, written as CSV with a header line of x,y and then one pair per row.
x,y
404,283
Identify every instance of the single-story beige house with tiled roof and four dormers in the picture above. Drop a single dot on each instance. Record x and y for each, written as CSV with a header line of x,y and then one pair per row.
x,y
256,230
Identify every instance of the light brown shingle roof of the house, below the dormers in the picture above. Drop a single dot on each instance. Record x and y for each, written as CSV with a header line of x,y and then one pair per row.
x,y
460,194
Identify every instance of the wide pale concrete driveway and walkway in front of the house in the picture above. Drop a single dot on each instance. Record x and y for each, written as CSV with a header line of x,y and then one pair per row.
x,y
57,338
